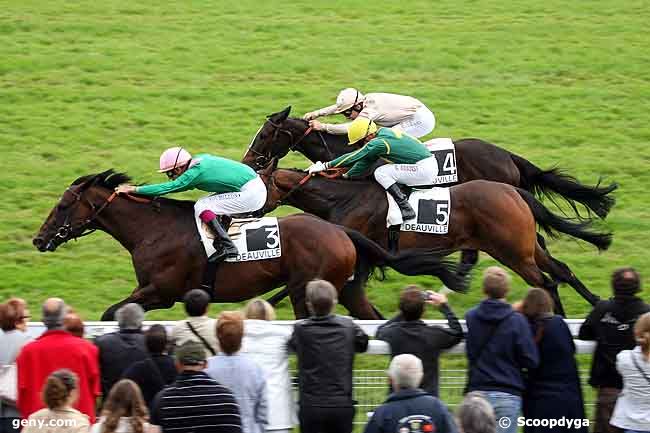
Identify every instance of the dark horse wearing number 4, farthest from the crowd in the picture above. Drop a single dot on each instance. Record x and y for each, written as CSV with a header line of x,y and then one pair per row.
x,y
475,159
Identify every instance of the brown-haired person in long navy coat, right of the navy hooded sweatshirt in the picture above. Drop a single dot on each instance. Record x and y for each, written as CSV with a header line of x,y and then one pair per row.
x,y
553,388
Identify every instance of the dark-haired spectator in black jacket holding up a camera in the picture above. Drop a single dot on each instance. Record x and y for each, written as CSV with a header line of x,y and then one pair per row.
x,y
406,333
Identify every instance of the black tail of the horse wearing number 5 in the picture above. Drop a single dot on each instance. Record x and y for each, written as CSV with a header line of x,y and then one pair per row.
x,y
550,223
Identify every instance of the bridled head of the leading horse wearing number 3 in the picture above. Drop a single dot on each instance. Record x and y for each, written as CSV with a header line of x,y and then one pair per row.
x,y
75,214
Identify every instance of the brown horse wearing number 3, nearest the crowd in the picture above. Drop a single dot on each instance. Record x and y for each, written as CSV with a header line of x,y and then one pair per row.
x,y
169,259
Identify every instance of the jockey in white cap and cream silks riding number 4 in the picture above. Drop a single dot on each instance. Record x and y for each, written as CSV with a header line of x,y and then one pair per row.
x,y
385,109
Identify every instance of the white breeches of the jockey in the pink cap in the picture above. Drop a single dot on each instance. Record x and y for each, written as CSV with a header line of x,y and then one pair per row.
x,y
250,198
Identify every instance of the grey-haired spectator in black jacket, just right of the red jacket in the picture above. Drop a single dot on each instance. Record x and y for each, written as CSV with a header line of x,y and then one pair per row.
x,y
119,350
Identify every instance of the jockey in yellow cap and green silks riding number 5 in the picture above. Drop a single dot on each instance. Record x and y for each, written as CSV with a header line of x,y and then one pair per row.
x,y
410,162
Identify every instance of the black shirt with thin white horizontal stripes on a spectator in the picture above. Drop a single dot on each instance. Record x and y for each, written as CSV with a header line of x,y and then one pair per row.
x,y
196,404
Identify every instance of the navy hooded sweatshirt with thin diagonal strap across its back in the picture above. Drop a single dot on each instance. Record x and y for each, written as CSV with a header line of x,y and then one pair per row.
x,y
505,353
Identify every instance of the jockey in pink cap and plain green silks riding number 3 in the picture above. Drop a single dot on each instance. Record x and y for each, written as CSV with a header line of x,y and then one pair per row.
x,y
235,189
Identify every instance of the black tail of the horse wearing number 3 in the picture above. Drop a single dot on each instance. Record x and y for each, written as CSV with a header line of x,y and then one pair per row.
x,y
371,256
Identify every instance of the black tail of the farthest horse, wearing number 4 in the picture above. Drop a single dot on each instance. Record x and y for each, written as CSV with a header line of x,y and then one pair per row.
x,y
554,182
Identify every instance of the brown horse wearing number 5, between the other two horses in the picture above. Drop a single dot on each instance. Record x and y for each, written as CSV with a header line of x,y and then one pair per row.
x,y
496,218
